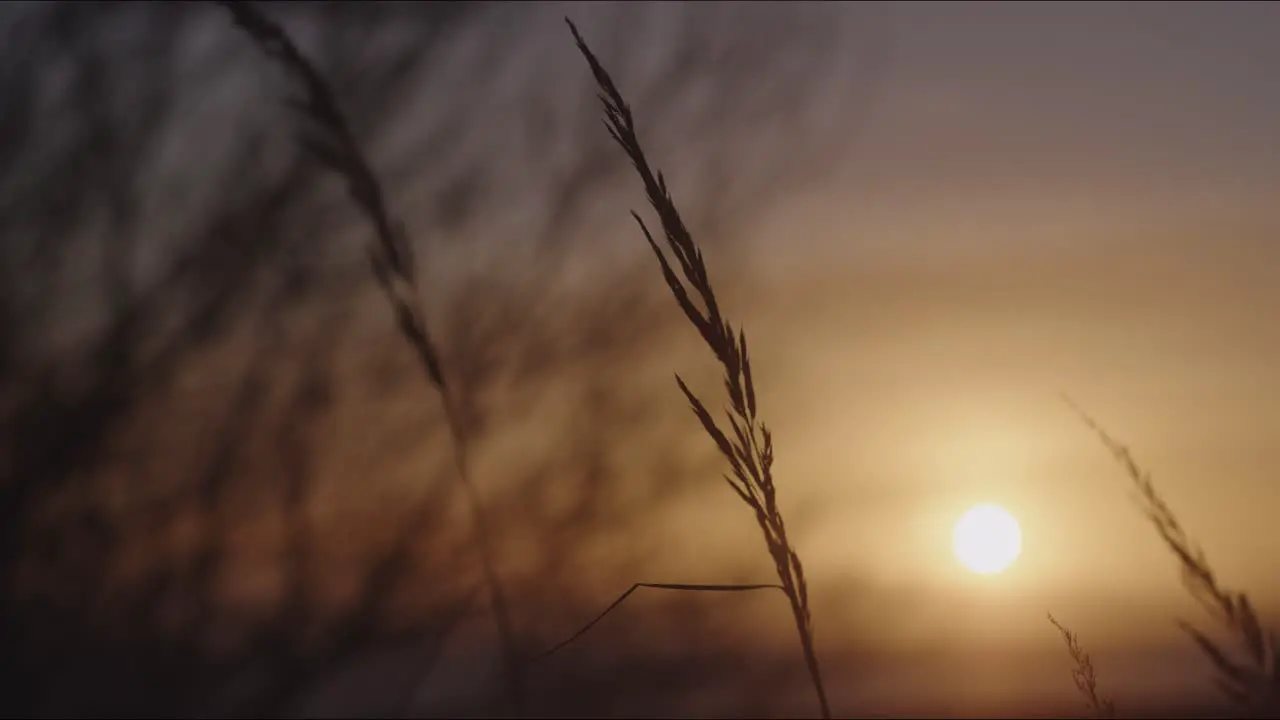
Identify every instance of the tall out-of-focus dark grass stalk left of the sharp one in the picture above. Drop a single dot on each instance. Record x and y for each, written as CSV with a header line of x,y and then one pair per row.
x,y
391,257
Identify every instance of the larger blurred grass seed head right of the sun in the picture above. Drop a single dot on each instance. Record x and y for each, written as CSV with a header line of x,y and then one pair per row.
x,y
1252,685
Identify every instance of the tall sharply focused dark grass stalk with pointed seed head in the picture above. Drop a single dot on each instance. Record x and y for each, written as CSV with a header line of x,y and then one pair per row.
x,y
751,450
